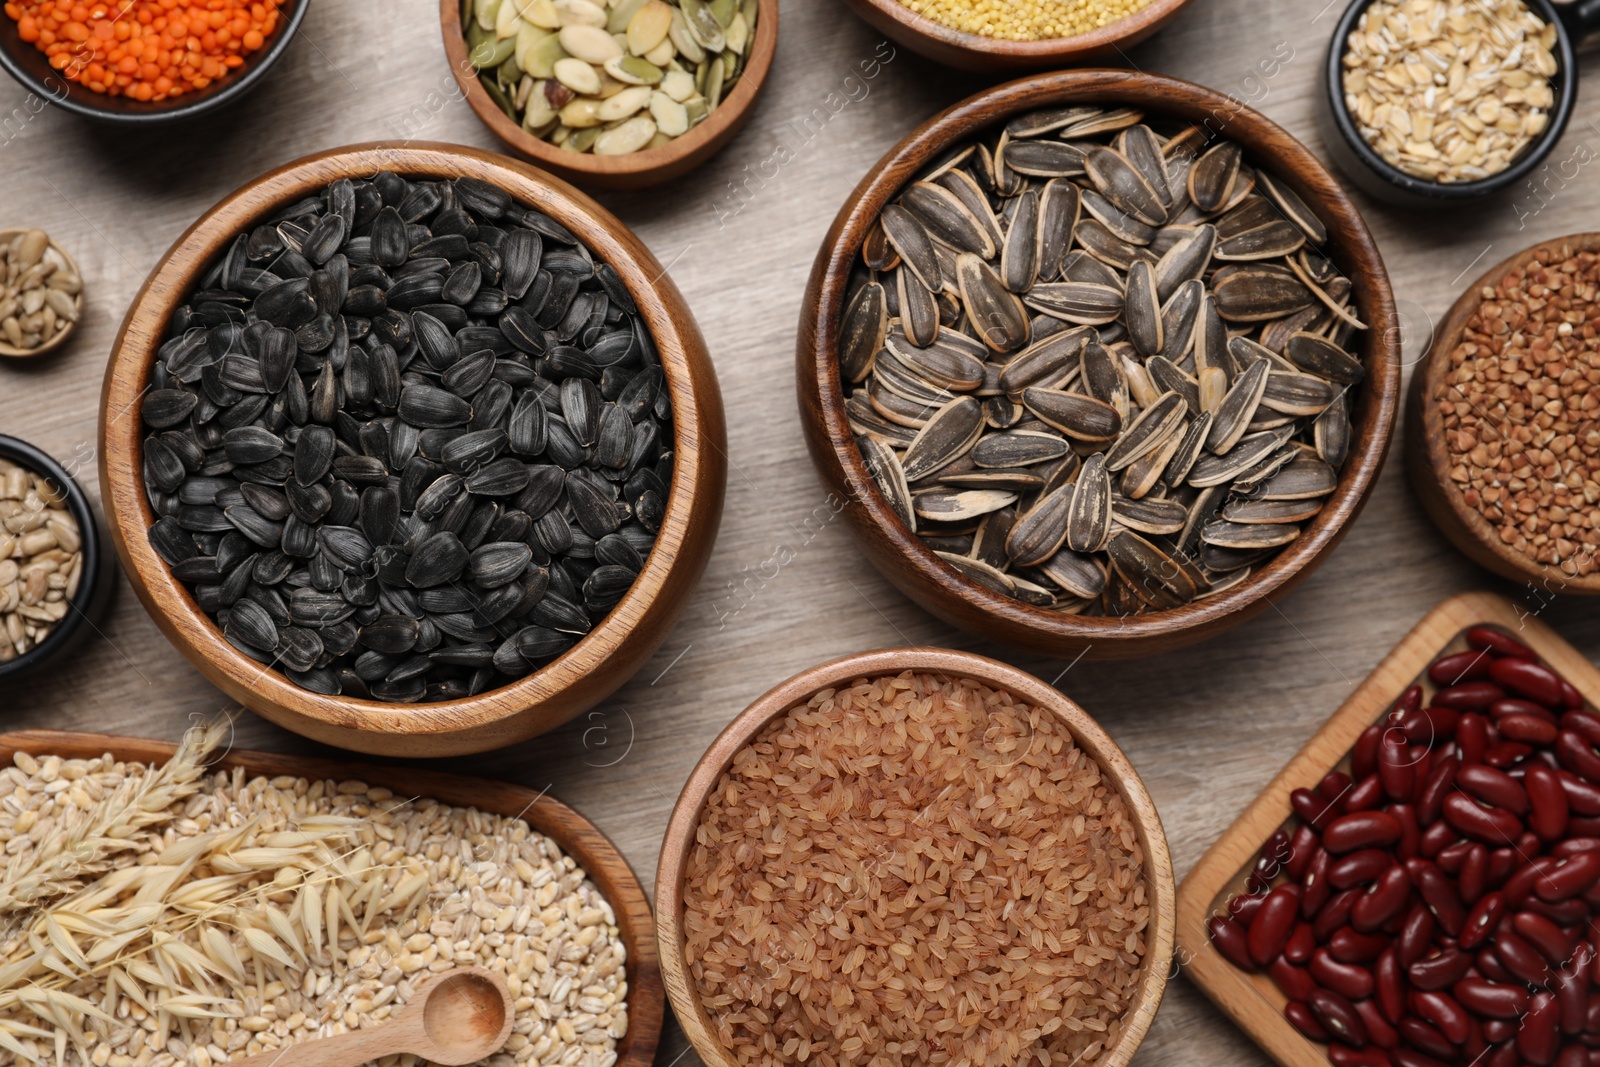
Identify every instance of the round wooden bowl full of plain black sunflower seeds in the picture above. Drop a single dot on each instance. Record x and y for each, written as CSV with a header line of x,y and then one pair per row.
x,y
414,450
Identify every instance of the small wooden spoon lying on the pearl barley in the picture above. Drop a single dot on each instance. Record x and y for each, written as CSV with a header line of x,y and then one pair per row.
x,y
458,1018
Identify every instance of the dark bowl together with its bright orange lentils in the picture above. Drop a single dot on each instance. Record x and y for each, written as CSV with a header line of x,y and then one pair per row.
x,y
143,62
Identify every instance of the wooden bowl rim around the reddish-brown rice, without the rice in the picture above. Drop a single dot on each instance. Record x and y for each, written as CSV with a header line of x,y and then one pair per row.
x,y
1086,732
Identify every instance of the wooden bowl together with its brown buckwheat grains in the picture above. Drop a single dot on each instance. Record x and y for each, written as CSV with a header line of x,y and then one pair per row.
x,y
1503,423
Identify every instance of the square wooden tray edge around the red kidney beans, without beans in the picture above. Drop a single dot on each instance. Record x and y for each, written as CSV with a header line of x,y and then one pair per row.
x,y
1254,1001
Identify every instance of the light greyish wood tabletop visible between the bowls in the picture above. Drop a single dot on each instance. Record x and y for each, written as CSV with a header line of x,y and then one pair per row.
x,y
1207,729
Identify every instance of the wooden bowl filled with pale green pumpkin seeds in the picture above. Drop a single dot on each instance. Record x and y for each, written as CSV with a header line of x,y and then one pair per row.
x,y
612,94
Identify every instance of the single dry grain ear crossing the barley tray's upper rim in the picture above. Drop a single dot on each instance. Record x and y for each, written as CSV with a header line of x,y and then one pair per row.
x,y
84,849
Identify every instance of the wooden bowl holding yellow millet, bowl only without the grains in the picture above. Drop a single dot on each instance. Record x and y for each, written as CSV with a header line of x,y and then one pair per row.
x,y
990,55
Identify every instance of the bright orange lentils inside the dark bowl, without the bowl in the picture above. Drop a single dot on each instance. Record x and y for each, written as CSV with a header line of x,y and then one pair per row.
x,y
150,50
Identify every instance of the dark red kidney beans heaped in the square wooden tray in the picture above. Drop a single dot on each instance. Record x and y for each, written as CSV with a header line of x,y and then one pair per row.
x,y
1441,903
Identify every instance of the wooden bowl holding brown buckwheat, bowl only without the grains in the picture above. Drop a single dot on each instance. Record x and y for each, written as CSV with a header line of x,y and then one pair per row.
x,y
1430,462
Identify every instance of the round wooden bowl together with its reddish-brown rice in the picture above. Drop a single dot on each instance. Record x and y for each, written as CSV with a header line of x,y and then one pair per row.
x,y
914,857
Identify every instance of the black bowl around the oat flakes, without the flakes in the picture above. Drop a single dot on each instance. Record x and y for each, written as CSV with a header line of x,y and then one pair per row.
x,y
1388,183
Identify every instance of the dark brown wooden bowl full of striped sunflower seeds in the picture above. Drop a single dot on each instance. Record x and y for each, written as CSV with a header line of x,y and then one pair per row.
x,y
1111,372
